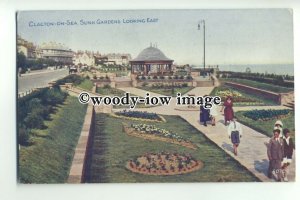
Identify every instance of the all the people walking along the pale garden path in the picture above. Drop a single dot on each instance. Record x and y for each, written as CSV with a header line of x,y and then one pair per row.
x,y
279,149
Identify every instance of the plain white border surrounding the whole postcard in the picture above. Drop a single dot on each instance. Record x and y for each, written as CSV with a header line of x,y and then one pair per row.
x,y
9,189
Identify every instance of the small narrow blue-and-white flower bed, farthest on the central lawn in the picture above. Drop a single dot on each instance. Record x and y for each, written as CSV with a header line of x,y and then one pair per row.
x,y
138,115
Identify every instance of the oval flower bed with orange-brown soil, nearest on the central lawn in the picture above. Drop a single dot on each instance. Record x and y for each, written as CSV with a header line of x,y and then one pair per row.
x,y
163,164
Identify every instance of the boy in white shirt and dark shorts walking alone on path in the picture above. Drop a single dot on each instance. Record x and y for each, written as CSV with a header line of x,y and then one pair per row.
x,y
235,133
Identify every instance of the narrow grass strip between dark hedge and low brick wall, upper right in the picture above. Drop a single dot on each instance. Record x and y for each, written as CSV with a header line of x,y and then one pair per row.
x,y
263,86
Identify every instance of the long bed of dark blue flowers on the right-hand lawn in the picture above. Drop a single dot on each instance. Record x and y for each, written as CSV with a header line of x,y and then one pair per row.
x,y
266,115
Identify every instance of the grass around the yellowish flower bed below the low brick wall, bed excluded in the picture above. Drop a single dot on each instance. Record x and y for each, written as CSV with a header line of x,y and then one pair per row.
x,y
255,100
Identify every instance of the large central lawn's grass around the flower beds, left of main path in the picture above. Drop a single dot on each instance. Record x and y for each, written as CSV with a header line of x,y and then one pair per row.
x,y
112,148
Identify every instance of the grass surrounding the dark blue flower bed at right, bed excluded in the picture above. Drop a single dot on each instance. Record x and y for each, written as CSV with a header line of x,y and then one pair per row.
x,y
266,127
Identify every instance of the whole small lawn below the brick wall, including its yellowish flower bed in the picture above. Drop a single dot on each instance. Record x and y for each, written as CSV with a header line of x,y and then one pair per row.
x,y
240,98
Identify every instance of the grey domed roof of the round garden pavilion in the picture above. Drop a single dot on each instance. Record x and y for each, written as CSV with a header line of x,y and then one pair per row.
x,y
151,54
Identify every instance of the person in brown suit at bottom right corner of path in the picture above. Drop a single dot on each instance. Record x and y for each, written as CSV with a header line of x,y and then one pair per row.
x,y
275,155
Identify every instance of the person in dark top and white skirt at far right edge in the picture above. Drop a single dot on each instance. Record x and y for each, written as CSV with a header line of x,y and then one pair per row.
x,y
288,149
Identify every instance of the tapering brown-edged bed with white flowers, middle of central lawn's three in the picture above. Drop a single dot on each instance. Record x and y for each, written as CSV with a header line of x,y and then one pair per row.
x,y
153,133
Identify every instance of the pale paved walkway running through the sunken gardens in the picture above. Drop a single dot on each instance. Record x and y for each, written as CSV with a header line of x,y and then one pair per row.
x,y
252,152
